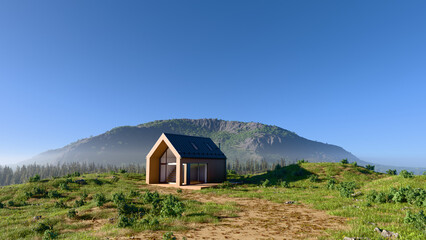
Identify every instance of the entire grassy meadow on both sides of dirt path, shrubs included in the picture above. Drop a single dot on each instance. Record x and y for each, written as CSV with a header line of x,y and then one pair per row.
x,y
120,204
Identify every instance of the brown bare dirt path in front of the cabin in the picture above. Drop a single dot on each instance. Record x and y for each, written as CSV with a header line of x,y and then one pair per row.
x,y
258,219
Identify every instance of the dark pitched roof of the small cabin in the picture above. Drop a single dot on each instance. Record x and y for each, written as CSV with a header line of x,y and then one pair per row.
x,y
195,147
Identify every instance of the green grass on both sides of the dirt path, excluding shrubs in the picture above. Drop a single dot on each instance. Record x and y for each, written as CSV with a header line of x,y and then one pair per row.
x,y
17,221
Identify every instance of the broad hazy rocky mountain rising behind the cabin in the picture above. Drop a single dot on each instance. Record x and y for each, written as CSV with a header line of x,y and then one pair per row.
x,y
242,140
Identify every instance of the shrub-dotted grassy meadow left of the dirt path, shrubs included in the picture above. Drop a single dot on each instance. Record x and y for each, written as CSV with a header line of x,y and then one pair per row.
x,y
107,205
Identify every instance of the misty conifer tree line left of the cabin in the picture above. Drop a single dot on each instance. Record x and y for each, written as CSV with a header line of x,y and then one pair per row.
x,y
23,173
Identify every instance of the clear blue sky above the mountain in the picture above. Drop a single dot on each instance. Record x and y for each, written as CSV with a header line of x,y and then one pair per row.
x,y
350,73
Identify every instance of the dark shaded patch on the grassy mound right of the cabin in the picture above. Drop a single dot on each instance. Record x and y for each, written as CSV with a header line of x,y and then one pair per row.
x,y
291,173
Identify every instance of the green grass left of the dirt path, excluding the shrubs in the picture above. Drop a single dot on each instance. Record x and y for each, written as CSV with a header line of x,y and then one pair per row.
x,y
17,221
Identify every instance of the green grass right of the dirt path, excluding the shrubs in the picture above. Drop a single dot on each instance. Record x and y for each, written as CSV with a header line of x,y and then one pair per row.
x,y
359,213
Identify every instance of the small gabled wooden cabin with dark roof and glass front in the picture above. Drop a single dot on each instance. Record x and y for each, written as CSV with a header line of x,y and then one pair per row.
x,y
185,160
